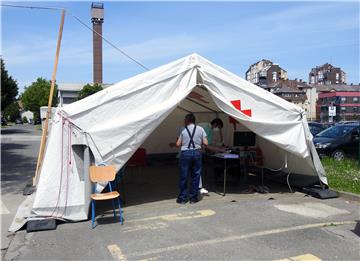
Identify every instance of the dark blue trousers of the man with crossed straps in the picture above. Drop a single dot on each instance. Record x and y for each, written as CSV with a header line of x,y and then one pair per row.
x,y
190,161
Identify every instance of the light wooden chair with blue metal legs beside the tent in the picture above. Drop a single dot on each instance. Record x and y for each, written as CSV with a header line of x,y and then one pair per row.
x,y
103,174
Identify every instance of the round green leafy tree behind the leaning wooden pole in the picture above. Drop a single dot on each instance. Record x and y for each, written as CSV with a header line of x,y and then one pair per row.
x,y
37,95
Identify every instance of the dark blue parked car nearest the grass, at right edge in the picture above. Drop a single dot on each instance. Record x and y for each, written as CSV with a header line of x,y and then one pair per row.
x,y
339,141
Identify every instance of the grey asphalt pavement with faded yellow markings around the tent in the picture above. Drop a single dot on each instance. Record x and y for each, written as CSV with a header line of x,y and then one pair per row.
x,y
275,226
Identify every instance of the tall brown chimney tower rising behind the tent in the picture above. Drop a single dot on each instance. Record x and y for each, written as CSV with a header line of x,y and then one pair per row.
x,y
97,19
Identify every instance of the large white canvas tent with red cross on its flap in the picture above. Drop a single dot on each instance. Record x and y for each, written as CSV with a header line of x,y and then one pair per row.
x,y
110,125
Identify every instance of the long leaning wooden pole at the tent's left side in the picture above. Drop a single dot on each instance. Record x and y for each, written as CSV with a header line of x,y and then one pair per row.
x,y
51,94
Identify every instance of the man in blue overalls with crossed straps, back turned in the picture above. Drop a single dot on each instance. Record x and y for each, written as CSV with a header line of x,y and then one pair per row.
x,y
190,140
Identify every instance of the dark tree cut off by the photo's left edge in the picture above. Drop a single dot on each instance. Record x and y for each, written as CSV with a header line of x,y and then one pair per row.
x,y
9,87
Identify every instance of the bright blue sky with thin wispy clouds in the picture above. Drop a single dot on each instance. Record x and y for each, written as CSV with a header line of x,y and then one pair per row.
x,y
234,35
